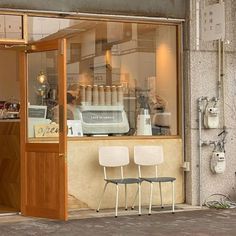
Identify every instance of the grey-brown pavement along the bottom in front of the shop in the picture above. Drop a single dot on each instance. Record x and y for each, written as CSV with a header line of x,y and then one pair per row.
x,y
183,222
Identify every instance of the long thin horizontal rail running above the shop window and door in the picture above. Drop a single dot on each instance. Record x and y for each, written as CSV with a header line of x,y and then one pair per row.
x,y
92,16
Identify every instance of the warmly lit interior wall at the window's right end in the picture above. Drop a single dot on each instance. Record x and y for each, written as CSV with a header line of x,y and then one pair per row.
x,y
166,72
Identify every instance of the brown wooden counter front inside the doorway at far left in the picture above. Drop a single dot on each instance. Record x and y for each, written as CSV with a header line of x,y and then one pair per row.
x,y
10,164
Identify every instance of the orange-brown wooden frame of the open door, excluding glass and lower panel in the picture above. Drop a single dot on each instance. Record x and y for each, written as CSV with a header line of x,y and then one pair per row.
x,y
59,45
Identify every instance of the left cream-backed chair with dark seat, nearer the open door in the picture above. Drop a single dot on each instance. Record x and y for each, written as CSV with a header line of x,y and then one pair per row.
x,y
117,156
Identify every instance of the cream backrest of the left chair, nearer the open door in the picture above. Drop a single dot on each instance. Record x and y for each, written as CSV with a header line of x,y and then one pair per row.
x,y
113,156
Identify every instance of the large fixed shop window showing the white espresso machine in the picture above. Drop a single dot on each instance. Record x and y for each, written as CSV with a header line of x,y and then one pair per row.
x,y
121,77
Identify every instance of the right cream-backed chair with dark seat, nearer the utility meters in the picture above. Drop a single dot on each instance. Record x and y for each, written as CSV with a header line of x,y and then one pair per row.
x,y
153,156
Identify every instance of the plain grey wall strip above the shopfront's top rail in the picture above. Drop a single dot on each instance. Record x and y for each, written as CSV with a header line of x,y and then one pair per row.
x,y
154,8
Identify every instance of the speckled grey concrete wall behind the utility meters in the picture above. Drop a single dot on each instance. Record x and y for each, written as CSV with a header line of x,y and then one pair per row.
x,y
201,80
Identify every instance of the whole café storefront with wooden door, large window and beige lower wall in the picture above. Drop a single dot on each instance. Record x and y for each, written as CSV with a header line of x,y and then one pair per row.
x,y
84,81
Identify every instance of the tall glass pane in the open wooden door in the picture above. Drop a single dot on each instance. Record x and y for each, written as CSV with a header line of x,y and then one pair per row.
x,y
42,106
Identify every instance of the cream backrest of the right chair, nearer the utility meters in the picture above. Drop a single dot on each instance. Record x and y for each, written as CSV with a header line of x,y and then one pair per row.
x,y
148,155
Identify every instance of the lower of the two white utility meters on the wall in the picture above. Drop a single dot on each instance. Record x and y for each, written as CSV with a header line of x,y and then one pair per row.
x,y
218,162
